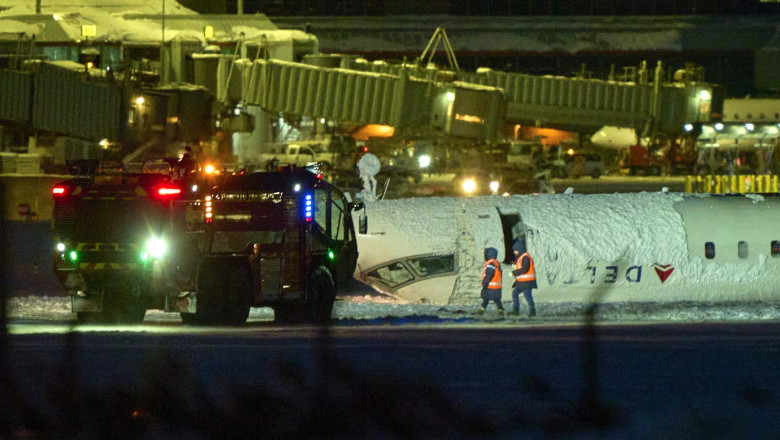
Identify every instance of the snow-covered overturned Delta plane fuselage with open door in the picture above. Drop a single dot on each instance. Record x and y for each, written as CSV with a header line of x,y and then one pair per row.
x,y
600,247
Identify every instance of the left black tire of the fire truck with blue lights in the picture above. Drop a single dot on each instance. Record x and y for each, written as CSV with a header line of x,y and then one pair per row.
x,y
223,294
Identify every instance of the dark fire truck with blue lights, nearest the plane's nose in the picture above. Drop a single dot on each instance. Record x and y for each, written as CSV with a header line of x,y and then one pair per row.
x,y
282,239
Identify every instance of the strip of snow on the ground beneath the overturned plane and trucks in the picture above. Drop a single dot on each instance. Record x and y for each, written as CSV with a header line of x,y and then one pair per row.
x,y
369,308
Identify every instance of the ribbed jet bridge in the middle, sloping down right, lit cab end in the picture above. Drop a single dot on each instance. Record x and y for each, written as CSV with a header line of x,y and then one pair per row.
x,y
351,96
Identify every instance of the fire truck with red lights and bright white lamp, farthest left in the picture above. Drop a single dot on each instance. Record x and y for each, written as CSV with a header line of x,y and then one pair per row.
x,y
117,233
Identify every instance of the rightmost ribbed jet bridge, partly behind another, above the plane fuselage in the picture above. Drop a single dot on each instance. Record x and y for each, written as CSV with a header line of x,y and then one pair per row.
x,y
584,104
